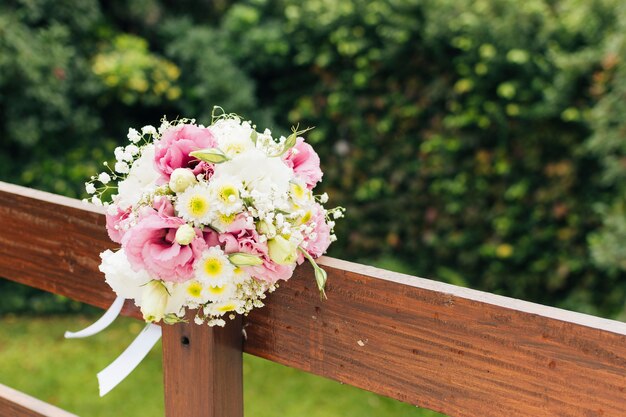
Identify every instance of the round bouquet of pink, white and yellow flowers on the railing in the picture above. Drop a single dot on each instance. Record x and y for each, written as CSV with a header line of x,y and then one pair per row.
x,y
210,218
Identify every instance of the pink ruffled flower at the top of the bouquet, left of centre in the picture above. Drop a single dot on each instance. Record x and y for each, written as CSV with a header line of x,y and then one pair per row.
x,y
173,150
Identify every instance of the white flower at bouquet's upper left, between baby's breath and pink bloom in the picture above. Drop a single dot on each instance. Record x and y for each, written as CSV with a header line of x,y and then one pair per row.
x,y
140,180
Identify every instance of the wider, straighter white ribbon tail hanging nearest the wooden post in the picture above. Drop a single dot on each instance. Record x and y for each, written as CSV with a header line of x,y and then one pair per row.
x,y
121,367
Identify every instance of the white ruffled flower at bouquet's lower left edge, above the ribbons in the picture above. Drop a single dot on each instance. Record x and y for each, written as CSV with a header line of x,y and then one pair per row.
x,y
121,277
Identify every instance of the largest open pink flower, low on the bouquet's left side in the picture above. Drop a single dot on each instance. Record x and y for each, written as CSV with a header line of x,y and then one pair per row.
x,y
150,245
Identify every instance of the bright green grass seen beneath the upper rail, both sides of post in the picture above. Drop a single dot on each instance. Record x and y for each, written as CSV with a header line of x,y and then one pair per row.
x,y
34,358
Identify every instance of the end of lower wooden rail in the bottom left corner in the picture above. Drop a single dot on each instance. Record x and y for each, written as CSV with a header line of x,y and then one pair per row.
x,y
17,404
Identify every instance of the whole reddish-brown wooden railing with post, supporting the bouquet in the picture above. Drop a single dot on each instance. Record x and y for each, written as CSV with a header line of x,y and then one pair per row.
x,y
450,349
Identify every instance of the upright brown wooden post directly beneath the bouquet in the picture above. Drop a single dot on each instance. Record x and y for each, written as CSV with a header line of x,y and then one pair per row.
x,y
203,369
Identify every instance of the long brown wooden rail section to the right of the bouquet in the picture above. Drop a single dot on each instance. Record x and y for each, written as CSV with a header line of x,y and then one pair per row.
x,y
450,349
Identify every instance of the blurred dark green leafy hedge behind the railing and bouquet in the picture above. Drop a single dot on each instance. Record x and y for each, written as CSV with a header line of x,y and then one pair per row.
x,y
478,142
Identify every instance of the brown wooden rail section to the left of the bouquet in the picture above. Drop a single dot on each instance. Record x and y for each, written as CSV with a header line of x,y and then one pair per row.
x,y
53,243
